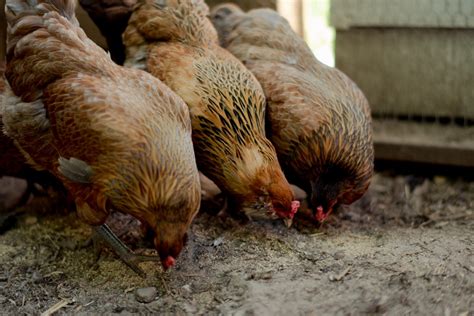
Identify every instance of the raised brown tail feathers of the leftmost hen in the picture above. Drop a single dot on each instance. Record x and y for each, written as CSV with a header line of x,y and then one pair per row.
x,y
44,43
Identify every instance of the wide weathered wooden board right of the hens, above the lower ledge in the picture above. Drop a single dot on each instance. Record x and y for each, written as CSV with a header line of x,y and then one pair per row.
x,y
405,71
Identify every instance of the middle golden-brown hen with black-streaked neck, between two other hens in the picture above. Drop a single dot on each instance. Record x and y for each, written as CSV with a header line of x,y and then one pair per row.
x,y
176,42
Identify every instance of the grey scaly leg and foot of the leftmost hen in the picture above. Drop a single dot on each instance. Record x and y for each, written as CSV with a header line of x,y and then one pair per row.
x,y
128,257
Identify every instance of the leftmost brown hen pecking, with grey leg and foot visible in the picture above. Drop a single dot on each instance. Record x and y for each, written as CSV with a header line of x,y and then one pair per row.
x,y
117,138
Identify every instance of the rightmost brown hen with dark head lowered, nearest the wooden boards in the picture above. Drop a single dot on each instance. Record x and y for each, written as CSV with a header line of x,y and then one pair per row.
x,y
319,120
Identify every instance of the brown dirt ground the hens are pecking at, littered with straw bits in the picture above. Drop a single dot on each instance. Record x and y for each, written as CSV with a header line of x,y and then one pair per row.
x,y
405,248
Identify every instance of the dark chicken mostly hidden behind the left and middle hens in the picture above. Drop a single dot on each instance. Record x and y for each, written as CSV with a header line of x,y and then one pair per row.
x,y
111,16
